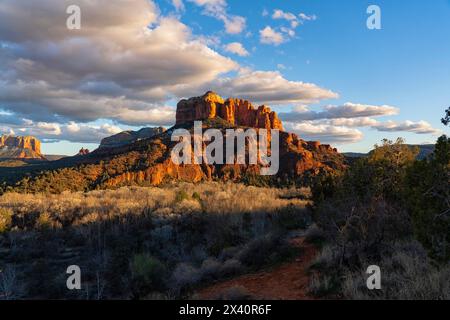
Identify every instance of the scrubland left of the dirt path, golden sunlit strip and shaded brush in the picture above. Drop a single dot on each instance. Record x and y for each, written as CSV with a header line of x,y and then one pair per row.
x,y
143,243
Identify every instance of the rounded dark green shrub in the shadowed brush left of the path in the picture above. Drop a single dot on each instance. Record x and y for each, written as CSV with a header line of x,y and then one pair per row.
x,y
148,274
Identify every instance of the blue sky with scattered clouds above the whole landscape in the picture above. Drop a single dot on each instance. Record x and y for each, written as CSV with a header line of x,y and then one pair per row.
x,y
405,66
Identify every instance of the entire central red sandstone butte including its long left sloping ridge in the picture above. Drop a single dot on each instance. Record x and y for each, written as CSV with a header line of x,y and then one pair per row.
x,y
144,157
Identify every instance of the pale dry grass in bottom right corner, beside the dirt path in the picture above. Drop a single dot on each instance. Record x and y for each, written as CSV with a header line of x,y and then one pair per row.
x,y
407,273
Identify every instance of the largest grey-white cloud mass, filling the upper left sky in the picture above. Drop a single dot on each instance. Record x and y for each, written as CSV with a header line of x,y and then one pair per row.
x,y
122,65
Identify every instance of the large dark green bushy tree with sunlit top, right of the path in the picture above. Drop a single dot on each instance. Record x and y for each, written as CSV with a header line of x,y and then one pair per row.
x,y
365,208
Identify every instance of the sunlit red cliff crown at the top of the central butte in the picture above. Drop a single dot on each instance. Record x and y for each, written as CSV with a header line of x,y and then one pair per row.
x,y
236,111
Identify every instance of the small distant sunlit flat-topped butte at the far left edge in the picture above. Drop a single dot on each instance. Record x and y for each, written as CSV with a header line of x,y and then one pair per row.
x,y
12,147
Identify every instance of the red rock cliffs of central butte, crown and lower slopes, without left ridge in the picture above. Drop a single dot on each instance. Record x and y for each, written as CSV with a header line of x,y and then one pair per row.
x,y
298,158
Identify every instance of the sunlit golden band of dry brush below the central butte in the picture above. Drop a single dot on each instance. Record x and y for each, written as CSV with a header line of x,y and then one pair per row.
x,y
215,198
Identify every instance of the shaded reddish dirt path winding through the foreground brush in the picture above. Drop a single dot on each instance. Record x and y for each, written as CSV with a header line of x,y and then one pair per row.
x,y
288,281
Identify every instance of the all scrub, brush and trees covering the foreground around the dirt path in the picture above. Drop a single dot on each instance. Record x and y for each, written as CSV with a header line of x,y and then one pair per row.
x,y
387,209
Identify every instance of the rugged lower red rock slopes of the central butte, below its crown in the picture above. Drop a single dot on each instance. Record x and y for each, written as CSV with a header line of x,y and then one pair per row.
x,y
298,158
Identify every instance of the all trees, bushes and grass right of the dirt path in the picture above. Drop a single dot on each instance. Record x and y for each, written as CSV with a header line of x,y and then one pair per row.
x,y
388,210
